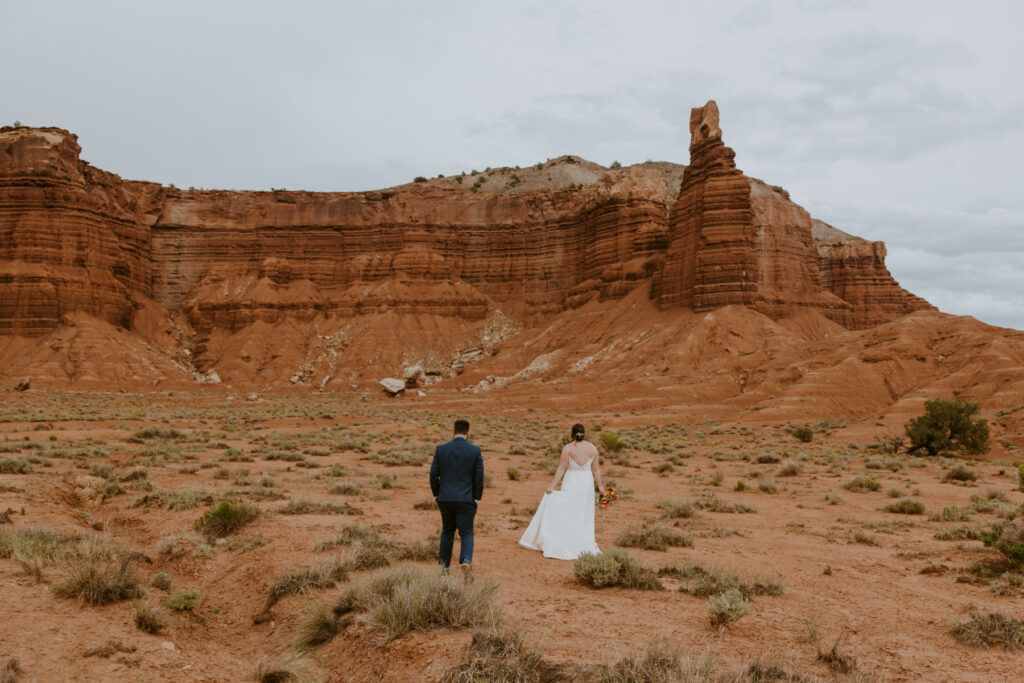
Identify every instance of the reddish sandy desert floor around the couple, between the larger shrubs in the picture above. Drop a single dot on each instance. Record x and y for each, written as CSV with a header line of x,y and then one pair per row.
x,y
847,566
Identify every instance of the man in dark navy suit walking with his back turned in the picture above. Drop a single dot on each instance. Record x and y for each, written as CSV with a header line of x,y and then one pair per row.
x,y
457,482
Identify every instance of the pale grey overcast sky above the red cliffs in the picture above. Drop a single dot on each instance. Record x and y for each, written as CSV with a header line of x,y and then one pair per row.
x,y
895,121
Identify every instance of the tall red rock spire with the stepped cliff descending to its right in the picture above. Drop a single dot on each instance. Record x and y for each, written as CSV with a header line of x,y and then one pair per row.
x,y
735,240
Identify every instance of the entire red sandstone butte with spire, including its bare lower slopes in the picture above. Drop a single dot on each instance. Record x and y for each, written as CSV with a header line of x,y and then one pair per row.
x,y
668,285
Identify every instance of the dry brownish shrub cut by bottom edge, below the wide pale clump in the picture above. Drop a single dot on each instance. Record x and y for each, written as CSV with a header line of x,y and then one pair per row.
x,y
501,655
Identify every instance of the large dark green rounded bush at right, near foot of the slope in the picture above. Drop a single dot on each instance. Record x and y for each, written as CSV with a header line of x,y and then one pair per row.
x,y
947,425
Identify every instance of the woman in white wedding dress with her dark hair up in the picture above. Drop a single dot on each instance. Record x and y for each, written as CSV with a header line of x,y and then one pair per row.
x,y
564,525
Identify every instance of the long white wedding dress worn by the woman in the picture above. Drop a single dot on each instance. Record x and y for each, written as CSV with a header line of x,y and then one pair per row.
x,y
564,525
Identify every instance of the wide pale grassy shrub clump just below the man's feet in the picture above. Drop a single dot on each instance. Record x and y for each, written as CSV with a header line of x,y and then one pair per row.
x,y
409,599
